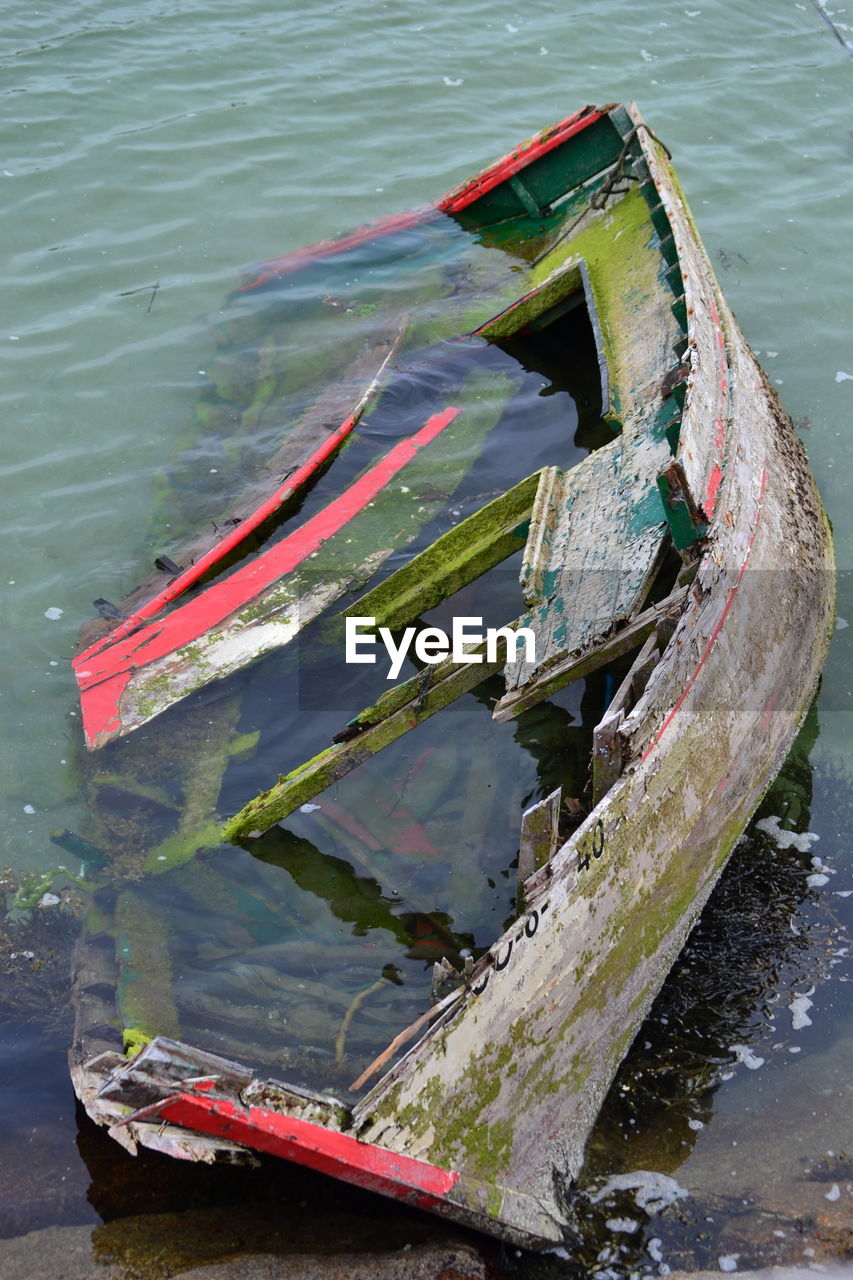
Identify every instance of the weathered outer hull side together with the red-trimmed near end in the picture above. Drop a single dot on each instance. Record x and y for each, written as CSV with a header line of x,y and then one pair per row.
x,y
486,1118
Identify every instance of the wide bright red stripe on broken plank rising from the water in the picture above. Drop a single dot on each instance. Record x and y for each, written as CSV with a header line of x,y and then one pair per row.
x,y
193,620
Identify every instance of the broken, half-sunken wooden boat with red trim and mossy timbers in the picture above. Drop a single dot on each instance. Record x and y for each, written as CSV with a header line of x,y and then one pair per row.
x,y
691,541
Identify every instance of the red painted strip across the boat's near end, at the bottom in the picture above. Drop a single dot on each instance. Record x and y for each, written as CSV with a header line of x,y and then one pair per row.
x,y
312,1145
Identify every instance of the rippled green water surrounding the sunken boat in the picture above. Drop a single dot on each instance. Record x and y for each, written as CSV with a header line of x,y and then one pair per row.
x,y
175,145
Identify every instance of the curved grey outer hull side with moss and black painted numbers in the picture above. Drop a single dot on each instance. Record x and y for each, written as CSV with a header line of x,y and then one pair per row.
x,y
621,898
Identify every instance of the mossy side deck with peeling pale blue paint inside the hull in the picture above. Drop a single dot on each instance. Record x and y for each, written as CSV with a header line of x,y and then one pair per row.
x,y
596,545
